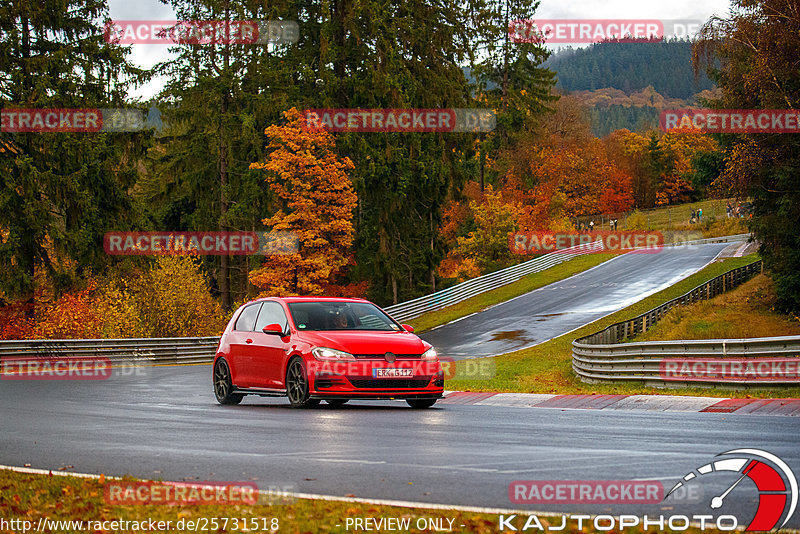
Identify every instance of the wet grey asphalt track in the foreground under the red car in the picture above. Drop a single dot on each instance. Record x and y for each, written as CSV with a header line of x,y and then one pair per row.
x,y
166,424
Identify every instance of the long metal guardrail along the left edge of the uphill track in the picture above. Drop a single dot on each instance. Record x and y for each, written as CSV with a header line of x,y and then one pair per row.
x,y
470,288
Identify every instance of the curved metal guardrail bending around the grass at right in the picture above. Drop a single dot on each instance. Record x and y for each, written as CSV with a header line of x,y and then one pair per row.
x,y
602,357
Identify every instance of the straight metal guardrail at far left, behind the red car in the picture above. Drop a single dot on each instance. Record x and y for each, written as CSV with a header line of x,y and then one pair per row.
x,y
133,351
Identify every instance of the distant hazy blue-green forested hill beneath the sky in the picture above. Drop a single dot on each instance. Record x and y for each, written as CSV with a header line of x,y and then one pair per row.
x,y
665,65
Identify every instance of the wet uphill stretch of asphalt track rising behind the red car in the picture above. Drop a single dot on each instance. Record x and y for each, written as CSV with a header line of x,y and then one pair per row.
x,y
569,304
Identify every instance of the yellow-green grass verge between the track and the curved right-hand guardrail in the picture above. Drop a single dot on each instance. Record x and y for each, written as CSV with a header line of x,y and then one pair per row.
x,y
547,368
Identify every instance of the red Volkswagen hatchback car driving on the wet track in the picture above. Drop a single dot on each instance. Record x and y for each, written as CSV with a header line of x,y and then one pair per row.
x,y
332,349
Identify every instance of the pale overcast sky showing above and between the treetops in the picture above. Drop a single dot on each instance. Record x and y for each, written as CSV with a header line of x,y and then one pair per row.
x,y
144,55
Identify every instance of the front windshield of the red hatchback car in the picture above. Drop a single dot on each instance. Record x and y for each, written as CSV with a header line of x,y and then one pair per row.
x,y
340,316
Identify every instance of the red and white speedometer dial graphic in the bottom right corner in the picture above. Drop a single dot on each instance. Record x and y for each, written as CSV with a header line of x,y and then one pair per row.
x,y
775,481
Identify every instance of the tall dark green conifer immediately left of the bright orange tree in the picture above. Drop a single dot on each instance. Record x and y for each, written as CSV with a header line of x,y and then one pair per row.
x,y
220,95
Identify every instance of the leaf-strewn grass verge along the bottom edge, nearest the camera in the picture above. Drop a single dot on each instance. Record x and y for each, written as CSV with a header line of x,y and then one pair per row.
x,y
29,497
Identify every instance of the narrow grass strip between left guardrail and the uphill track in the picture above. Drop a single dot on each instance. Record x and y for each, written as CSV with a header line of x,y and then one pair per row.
x,y
520,287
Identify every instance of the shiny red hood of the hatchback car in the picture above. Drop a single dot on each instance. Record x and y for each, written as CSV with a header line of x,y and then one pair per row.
x,y
360,342
